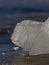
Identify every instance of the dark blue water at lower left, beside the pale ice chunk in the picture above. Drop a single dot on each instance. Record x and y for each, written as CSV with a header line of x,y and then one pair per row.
x,y
6,47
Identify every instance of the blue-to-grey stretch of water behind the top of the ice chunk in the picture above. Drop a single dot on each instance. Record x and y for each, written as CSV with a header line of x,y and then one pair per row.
x,y
12,16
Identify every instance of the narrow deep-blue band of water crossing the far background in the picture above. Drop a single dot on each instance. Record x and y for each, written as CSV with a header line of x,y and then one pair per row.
x,y
22,10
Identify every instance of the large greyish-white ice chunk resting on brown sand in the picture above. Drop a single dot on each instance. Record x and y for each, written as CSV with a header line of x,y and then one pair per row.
x,y
33,36
